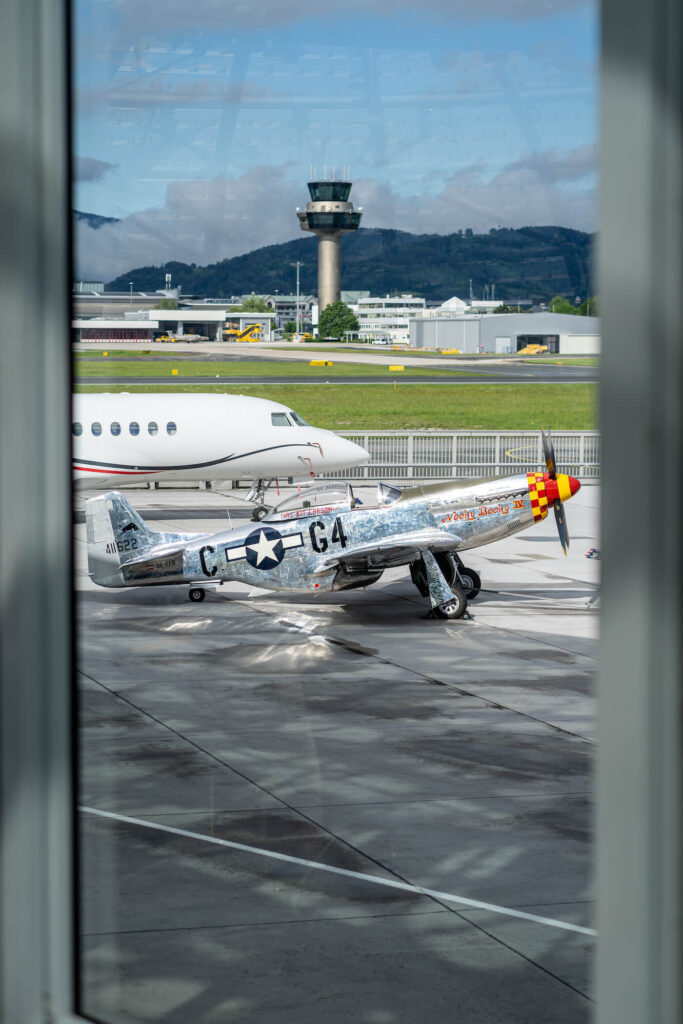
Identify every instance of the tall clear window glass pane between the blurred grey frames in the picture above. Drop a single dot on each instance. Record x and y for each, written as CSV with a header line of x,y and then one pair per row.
x,y
271,680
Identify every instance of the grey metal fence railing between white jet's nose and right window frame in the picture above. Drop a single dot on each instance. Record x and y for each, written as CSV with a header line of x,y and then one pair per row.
x,y
439,455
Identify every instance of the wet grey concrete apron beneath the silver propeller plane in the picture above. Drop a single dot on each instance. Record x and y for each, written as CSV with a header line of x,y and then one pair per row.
x,y
346,733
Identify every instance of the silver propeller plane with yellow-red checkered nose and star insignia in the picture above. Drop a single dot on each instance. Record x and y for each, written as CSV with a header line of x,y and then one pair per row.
x,y
321,541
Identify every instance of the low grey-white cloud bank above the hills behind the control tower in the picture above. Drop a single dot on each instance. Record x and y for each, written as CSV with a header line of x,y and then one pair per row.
x,y
206,222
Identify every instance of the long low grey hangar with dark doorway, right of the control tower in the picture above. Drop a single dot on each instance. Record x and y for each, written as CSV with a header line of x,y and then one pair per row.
x,y
508,333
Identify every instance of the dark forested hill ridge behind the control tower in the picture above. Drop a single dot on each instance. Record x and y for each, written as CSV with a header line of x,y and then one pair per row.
x,y
527,263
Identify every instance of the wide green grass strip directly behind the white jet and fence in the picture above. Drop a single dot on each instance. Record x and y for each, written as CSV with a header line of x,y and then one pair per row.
x,y
416,407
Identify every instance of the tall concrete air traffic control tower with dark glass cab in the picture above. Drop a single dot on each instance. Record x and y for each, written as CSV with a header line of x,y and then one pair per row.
x,y
329,216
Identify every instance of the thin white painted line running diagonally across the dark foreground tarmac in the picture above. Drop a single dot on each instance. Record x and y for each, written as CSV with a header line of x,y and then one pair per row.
x,y
359,876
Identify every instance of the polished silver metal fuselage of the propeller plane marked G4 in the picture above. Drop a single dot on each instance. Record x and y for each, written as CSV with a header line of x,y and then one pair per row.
x,y
330,547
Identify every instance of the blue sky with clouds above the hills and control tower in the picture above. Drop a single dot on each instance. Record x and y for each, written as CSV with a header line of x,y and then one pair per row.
x,y
198,124
